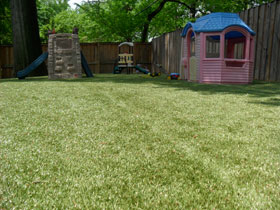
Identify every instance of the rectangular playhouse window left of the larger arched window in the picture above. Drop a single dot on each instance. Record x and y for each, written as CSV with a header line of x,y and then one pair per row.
x,y
212,46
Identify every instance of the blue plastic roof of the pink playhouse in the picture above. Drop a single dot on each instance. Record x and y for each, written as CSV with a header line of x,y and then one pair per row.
x,y
216,22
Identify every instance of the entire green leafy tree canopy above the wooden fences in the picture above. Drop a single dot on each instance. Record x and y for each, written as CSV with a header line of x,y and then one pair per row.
x,y
120,20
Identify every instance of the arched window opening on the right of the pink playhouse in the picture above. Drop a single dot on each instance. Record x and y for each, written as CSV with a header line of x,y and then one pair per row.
x,y
235,44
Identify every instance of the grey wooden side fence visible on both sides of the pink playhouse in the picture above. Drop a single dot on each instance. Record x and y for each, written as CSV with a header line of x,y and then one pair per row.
x,y
264,20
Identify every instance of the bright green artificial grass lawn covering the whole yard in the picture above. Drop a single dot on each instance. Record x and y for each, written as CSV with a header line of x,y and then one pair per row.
x,y
126,141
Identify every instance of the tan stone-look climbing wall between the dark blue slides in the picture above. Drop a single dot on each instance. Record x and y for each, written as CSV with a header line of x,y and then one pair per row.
x,y
64,60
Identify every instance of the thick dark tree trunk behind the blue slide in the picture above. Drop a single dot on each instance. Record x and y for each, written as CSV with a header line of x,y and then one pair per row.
x,y
26,39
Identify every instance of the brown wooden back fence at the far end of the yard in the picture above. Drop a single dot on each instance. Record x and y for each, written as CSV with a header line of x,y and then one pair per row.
x,y
101,57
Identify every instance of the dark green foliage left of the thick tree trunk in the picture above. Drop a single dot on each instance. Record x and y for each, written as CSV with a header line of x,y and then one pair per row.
x,y
5,22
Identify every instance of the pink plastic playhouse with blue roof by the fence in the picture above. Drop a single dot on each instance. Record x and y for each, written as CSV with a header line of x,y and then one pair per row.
x,y
218,48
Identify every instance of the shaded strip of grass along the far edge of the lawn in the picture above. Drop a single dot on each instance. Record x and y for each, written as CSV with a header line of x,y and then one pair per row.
x,y
257,89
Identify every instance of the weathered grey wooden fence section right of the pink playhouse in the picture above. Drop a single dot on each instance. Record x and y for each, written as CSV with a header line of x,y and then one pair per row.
x,y
265,21
